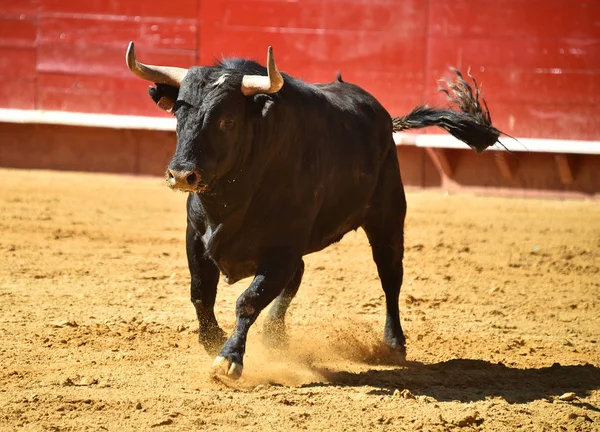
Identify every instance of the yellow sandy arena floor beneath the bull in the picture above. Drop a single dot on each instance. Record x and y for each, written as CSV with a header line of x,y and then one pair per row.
x,y
501,306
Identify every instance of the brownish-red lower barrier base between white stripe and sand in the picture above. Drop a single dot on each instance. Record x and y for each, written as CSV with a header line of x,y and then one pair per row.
x,y
148,152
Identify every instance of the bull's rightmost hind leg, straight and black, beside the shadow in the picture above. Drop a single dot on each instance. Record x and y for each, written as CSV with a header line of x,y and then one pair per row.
x,y
384,226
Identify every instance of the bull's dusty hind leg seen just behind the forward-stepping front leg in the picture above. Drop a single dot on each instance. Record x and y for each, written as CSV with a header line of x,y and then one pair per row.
x,y
274,333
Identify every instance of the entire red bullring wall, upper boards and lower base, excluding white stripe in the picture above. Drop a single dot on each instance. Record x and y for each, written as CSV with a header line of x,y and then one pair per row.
x,y
539,61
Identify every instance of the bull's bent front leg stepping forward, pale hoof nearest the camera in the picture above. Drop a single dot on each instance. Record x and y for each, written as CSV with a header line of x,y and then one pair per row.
x,y
274,273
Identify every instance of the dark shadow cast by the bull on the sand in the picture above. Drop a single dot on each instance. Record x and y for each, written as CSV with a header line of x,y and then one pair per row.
x,y
473,380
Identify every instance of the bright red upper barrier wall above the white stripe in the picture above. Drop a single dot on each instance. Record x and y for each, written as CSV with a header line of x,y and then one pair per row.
x,y
539,60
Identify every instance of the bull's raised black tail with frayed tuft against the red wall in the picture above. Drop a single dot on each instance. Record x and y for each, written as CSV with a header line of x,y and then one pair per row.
x,y
472,124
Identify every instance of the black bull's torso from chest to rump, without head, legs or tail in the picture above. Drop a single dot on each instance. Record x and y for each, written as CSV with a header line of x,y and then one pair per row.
x,y
313,182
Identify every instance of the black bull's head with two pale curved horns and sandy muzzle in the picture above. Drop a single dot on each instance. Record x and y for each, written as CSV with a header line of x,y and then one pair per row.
x,y
215,109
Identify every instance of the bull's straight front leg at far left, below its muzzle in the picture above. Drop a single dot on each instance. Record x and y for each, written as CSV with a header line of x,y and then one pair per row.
x,y
205,277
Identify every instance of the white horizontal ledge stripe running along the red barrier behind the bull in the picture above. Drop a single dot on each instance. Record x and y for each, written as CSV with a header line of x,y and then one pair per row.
x,y
168,124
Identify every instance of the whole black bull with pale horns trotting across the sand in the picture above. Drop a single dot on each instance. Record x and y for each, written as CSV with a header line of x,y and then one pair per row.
x,y
276,169
